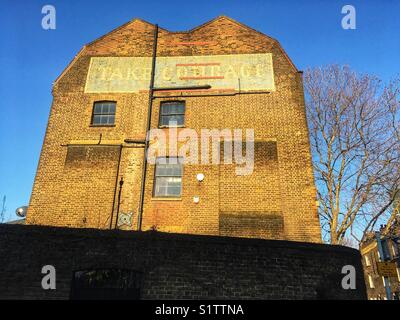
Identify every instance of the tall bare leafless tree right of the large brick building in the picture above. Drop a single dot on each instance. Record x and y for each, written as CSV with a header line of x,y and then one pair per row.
x,y
355,140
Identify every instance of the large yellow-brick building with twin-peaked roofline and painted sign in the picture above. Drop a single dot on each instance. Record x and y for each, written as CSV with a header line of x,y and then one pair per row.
x,y
220,75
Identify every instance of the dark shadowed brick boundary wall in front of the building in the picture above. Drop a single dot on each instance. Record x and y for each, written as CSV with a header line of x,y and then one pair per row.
x,y
176,266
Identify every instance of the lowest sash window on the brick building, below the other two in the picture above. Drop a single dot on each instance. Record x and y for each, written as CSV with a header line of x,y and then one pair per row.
x,y
168,178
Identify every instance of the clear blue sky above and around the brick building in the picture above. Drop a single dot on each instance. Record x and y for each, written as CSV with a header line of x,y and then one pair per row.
x,y
31,58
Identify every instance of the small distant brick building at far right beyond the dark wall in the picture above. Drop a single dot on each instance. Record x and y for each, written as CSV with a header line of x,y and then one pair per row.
x,y
381,263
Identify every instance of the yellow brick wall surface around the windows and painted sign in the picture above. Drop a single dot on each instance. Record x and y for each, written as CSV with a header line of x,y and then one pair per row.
x,y
277,201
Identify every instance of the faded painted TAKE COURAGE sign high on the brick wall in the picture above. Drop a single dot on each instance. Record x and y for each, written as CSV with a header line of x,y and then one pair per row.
x,y
245,72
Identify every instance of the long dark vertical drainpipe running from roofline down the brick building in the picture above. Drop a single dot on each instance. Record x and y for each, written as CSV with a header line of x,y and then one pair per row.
x,y
151,94
